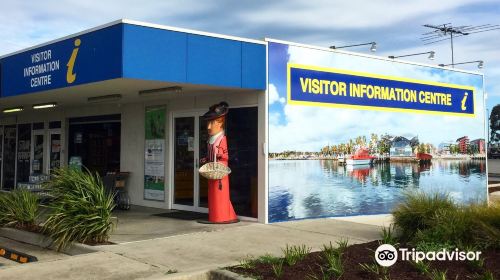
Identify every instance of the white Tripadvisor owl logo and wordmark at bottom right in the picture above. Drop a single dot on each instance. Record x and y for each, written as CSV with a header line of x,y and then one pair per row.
x,y
387,255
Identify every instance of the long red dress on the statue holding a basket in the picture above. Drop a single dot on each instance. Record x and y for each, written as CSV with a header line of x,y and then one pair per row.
x,y
220,208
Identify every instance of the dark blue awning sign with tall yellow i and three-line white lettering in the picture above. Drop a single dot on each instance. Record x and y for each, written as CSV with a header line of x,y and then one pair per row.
x,y
91,57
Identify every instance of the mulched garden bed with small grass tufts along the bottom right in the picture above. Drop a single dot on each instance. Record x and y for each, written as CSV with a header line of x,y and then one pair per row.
x,y
316,266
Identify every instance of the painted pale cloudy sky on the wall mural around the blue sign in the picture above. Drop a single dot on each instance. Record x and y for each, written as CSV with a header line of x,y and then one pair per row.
x,y
315,127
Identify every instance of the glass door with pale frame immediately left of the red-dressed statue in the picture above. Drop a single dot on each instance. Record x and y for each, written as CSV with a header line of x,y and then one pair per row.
x,y
190,189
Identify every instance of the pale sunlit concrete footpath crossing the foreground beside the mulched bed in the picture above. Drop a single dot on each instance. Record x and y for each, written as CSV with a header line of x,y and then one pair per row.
x,y
199,251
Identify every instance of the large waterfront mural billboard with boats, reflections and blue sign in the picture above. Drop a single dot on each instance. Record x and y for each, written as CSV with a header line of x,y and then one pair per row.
x,y
349,134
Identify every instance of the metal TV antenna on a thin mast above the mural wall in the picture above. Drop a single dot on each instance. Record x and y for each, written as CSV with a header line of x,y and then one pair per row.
x,y
447,32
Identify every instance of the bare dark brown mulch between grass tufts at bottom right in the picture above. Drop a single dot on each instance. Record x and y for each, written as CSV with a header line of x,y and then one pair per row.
x,y
309,268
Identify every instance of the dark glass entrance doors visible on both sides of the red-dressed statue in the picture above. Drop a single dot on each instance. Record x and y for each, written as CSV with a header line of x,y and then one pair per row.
x,y
189,144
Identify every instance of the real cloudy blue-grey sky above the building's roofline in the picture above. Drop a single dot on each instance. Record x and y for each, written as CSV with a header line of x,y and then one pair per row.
x,y
396,26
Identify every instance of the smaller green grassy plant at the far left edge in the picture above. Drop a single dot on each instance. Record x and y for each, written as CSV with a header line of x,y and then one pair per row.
x,y
18,208
